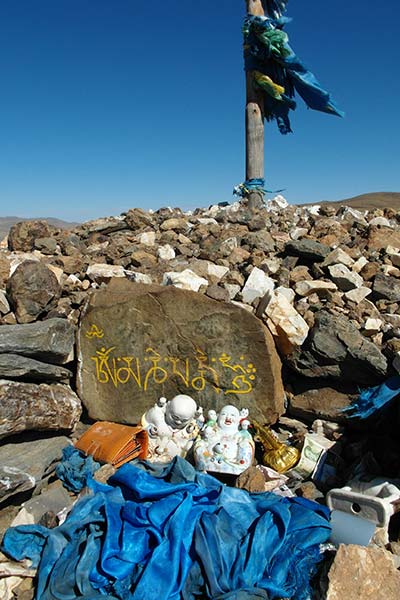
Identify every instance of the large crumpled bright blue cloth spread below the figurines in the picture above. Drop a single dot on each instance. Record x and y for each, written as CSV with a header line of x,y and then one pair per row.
x,y
173,533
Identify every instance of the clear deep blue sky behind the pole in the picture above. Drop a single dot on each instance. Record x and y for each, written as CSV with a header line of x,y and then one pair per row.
x,y
111,104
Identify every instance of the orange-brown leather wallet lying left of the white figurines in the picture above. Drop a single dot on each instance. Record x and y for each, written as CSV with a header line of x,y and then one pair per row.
x,y
114,443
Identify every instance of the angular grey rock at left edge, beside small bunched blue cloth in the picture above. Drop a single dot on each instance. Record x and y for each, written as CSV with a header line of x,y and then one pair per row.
x,y
24,464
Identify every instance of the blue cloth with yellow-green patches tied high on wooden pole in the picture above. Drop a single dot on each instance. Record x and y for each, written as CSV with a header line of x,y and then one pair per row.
x,y
267,51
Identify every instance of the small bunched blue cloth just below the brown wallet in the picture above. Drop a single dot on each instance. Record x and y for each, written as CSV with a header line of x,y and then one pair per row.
x,y
75,469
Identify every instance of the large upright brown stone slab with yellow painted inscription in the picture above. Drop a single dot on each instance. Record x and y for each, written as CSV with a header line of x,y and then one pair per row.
x,y
139,342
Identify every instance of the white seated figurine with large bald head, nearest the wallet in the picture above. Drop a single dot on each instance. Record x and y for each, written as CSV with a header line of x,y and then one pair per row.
x,y
172,427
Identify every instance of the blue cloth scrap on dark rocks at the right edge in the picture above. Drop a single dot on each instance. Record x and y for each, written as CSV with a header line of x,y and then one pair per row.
x,y
372,399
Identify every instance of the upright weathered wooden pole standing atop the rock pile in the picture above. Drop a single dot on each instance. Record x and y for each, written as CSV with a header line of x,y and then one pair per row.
x,y
254,123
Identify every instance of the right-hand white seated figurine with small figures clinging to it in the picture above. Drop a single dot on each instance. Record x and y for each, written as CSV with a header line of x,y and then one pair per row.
x,y
224,444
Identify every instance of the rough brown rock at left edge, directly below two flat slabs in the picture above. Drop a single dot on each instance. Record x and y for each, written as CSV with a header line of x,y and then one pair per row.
x,y
43,407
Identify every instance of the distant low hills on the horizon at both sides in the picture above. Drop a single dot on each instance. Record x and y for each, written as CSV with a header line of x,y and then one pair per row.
x,y
367,201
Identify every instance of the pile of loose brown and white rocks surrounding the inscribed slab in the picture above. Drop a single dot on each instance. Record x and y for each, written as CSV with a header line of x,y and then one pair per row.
x,y
324,281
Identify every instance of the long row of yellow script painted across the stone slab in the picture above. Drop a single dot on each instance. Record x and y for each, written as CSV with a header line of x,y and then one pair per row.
x,y
195,373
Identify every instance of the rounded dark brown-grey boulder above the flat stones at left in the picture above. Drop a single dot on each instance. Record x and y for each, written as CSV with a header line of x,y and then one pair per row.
x,y
33,290
